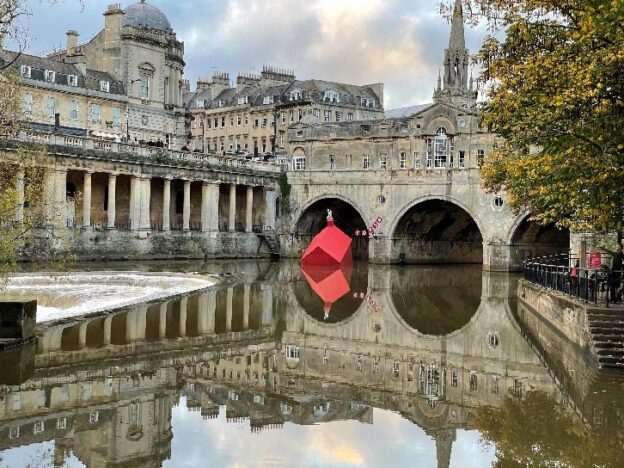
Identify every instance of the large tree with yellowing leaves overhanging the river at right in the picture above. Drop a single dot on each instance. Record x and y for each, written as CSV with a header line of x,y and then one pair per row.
x,y
555,93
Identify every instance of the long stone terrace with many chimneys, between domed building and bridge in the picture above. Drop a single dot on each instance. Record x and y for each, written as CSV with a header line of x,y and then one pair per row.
x,y
247,118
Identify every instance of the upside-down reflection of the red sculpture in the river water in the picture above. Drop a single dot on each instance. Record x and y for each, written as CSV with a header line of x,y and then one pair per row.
x,y
329,282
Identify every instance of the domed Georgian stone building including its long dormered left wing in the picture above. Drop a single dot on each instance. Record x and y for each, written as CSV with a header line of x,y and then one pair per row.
x,y
135,59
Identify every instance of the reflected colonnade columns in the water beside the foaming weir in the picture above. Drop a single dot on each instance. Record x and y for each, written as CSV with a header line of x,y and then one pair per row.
x,y
136,320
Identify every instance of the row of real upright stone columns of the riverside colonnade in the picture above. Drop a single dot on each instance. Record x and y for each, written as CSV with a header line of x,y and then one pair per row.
x,y
143,205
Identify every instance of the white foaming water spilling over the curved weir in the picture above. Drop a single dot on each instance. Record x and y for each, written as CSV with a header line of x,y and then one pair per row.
x,y
69,295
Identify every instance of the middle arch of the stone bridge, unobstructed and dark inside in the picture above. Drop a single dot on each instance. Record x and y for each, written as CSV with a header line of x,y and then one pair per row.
x,y
437,229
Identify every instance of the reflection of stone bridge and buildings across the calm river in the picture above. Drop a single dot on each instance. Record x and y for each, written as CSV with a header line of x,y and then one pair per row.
x,y
430,344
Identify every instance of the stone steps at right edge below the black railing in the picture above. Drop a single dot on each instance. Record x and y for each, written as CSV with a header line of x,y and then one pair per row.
x,y
607,329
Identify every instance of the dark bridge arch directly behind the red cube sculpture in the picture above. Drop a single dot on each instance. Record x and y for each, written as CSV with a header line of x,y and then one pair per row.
x,y
311,219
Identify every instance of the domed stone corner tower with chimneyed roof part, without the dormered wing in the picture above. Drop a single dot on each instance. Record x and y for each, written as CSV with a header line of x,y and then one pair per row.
x,y
139,48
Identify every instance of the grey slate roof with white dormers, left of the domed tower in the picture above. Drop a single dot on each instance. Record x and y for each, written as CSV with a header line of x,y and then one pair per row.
x,y
38,66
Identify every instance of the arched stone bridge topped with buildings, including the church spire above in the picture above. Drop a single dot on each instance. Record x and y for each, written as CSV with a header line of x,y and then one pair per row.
x,y
411,182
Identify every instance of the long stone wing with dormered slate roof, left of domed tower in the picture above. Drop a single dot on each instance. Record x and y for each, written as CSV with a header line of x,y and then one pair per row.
x,y
69,98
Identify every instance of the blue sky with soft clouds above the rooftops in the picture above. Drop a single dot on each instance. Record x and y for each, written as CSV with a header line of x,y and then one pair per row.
x,y
397,42
